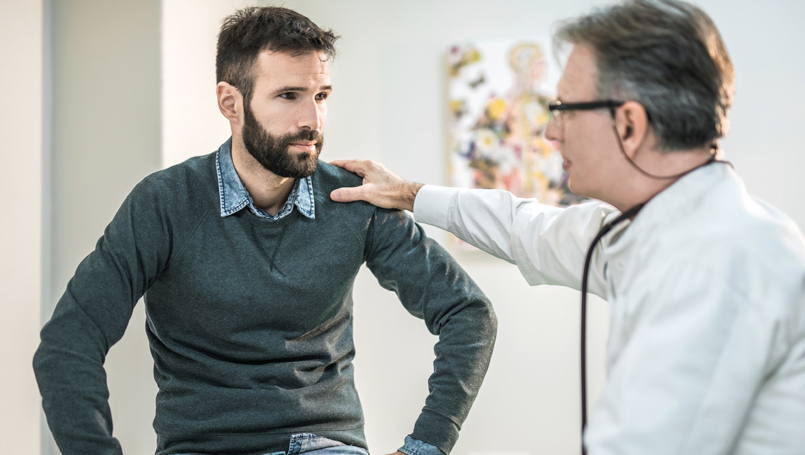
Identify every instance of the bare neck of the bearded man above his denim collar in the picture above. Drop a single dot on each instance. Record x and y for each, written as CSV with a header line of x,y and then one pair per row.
x,y
269,191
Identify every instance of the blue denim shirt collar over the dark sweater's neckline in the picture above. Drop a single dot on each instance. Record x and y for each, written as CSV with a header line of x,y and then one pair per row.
x,y
234,196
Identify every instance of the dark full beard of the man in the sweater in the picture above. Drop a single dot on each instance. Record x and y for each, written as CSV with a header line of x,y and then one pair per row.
x,y
272,151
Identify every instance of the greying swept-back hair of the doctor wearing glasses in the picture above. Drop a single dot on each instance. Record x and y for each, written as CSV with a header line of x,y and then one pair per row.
x,y
668,56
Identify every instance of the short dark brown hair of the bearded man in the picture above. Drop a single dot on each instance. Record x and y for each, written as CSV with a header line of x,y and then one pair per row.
x,y
252,30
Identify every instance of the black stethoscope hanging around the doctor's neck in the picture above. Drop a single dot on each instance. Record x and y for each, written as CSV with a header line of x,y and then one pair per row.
x,y
628,214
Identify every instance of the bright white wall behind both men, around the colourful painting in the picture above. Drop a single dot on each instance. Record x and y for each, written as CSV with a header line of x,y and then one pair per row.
x,y
388,104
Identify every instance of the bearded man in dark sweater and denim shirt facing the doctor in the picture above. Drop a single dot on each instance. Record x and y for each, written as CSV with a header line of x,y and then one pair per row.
x,y
247,268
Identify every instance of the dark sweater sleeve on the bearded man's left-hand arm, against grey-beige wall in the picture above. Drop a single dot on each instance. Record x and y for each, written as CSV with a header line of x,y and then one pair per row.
x,y
90,317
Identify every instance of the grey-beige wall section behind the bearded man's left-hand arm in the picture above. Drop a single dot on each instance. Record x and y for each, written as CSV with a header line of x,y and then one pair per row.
x,y
106,138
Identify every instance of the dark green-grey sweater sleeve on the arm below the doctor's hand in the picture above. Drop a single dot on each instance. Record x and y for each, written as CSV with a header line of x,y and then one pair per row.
x,y
433,287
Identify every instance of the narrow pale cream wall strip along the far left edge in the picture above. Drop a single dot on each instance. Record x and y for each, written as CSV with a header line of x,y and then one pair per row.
x,y
20,231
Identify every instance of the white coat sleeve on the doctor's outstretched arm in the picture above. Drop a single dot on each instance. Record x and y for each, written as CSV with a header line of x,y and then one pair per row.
x,y
548,244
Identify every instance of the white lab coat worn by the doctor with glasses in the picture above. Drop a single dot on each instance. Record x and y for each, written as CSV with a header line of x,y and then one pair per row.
x,y
706,287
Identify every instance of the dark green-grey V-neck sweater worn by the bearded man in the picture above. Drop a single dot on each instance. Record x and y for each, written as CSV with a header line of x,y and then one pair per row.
x,y
249,320
